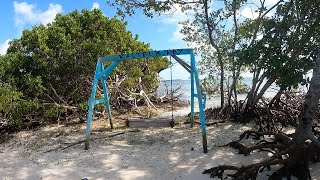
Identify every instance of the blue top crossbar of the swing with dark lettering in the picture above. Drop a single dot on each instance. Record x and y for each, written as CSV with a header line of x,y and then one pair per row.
x,y
148,54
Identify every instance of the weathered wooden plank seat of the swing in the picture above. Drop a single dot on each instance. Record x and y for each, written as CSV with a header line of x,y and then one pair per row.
x,y
150,122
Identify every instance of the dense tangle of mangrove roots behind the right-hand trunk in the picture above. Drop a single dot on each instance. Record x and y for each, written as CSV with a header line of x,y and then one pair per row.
x,y
269,115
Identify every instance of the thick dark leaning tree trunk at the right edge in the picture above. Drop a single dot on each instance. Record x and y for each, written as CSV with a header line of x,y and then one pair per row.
x,y
300,151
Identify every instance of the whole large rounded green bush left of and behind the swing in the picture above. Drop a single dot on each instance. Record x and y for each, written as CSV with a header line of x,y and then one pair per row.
x,y
54,63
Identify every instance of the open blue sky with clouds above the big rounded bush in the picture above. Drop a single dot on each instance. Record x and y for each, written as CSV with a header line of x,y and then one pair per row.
x,y
160,32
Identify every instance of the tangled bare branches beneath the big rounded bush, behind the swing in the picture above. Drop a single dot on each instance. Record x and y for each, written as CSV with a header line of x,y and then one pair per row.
x,y
62,108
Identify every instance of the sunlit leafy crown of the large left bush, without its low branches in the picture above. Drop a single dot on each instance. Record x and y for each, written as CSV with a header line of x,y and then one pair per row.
x,y
64,54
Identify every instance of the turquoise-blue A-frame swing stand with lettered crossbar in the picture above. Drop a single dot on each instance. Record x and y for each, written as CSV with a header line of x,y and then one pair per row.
x,y
101,73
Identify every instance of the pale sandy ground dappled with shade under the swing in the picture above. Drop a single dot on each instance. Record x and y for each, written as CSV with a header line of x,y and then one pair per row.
x,y
149,154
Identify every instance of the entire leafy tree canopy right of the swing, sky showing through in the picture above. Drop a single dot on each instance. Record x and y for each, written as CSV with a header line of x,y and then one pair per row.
x,y
276,49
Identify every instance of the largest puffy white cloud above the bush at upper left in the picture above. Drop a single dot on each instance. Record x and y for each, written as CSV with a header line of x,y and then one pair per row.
x,y
26,13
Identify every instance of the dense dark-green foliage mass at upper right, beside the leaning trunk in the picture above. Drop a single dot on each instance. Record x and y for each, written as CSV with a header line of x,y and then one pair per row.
x,y
289,45
